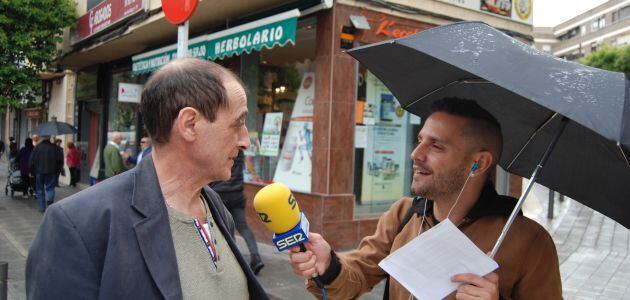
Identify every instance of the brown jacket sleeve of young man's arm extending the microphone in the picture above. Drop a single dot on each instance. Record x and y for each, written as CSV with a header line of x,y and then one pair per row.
x,y
359,268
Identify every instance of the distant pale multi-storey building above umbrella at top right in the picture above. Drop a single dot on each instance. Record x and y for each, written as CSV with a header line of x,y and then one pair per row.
x,y
608,23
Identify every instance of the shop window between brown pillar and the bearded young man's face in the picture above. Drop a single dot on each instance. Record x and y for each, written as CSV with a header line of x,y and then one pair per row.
x,y
384,138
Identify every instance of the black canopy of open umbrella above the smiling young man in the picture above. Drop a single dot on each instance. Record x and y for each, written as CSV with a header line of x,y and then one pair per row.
x,y
529,92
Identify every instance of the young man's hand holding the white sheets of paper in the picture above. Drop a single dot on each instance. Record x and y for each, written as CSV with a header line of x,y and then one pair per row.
x,y
477,287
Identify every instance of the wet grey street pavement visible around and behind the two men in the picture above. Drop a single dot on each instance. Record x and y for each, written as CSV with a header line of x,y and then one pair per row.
x,y
592,249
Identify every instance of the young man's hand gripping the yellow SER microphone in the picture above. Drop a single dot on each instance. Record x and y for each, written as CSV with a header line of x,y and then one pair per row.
x,y
315,260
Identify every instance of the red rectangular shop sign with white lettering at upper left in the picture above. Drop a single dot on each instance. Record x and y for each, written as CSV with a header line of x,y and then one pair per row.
x,y
104,15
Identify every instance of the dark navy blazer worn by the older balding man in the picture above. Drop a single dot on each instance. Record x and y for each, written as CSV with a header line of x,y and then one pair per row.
x,y
113,241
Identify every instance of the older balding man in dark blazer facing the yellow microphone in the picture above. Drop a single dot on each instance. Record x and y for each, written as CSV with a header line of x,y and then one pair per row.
x,y
155,232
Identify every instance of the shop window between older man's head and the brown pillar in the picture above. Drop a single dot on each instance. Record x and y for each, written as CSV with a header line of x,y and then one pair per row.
x,y
281,89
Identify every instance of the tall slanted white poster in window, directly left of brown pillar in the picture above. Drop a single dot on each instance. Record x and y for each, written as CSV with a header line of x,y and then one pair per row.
x,y
294,165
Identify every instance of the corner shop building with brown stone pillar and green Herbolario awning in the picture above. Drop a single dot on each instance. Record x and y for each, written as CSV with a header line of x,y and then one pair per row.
x,y
319,121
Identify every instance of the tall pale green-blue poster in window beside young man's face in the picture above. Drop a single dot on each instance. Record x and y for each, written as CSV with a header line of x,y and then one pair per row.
x,y
385,161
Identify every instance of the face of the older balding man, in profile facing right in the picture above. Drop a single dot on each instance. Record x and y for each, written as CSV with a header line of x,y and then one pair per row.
x,y
222,139
